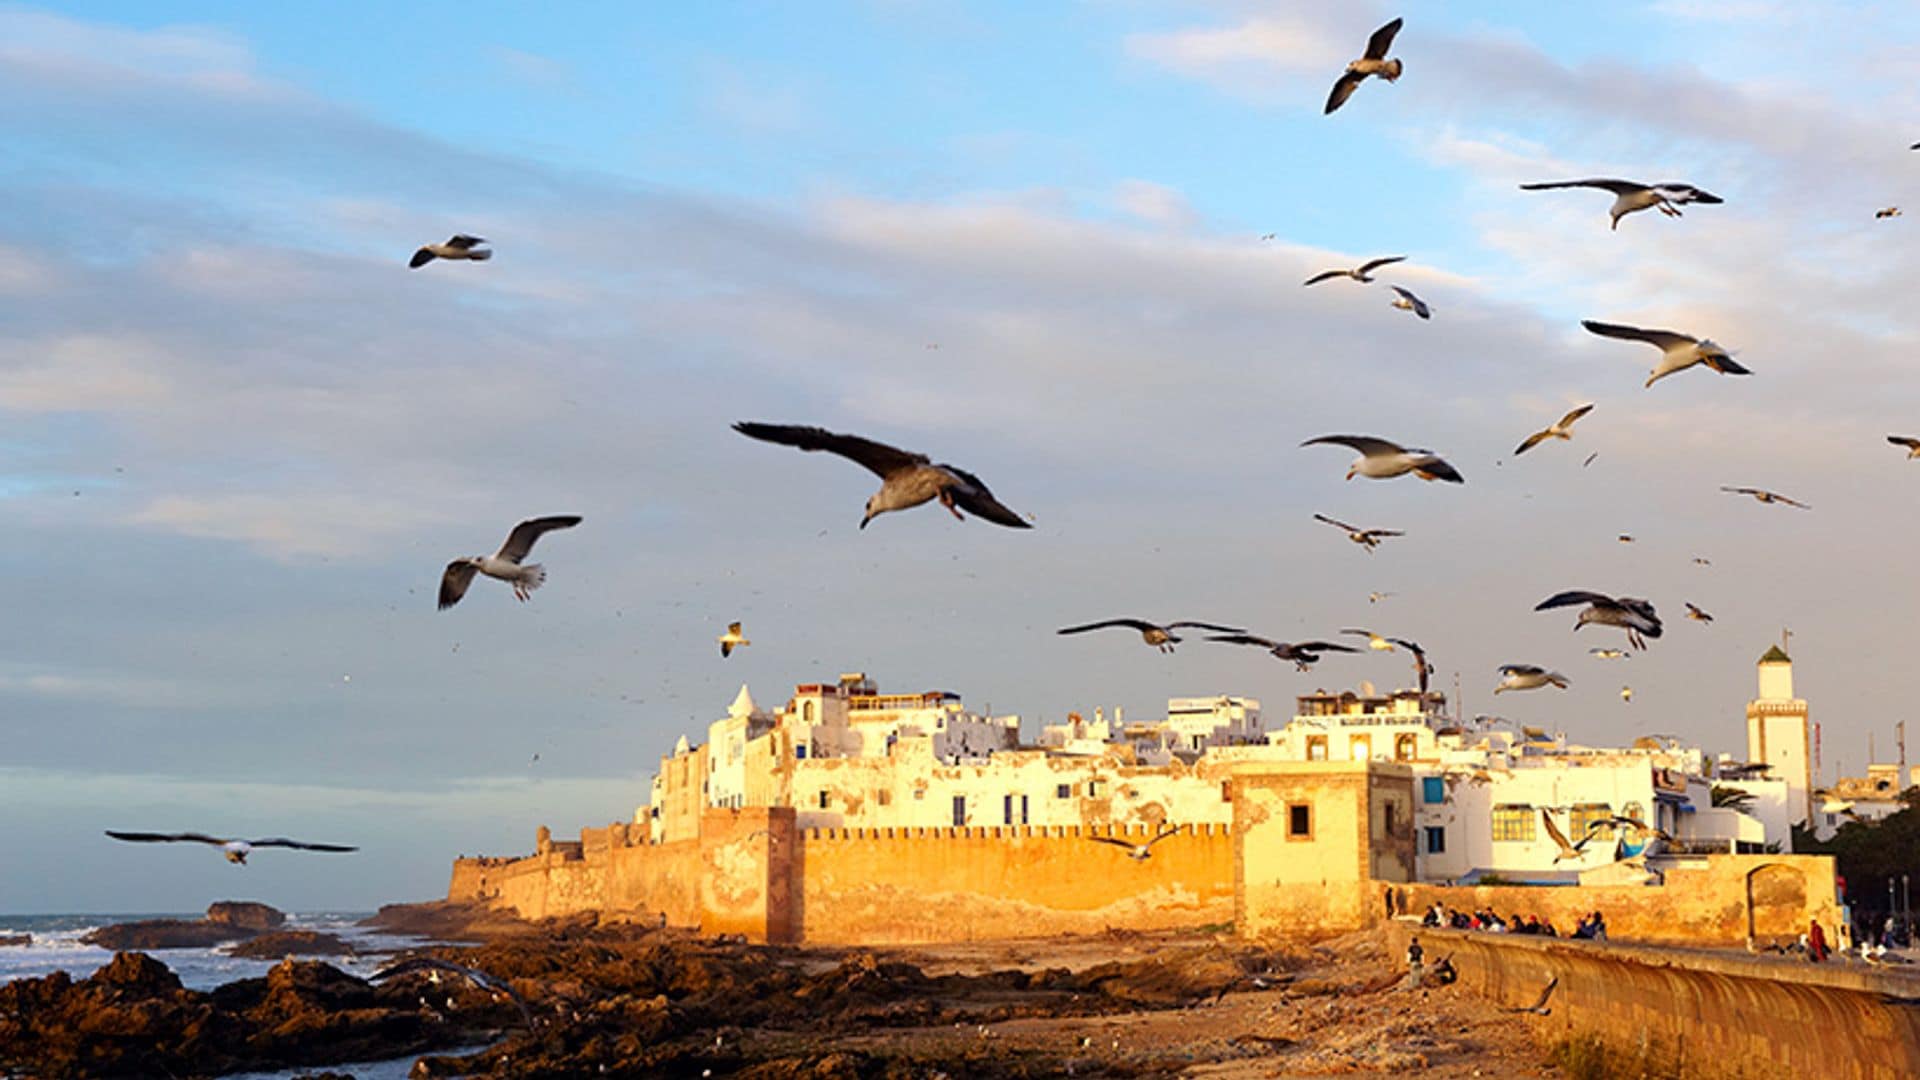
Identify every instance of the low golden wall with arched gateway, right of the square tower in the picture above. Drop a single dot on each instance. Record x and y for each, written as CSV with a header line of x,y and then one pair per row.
x,y
1706,906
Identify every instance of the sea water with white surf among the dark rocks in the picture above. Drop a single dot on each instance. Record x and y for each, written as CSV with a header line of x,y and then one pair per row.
x,y
57,946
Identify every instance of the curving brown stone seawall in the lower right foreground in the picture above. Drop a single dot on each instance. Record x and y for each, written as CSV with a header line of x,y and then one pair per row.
x,y
1698,1014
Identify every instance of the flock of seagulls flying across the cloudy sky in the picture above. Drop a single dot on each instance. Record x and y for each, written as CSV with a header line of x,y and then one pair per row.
x,y
911,479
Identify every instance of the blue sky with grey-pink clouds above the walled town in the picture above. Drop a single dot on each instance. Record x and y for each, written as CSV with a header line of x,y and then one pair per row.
x,y
769,212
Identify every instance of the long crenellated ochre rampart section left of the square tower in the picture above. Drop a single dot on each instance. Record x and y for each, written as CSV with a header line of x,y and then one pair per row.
x,y
944,885
